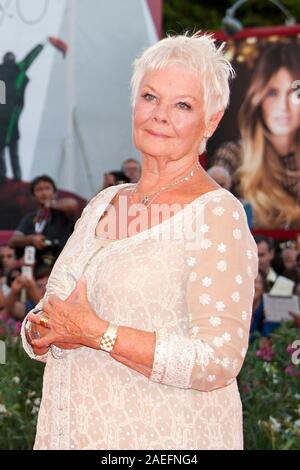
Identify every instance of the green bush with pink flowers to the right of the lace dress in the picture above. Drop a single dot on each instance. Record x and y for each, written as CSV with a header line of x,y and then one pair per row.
x,y
271,396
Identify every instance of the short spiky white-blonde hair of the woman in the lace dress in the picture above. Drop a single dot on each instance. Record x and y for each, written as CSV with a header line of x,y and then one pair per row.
x,y
197,53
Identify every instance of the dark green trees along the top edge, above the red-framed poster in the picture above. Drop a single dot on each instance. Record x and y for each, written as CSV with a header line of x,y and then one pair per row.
x,y
206,15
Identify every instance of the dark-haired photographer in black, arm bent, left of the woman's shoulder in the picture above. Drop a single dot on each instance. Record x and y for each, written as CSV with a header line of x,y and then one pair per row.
x,y
48,228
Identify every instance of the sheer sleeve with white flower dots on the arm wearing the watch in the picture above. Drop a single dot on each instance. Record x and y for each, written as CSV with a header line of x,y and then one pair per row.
x,y
222,265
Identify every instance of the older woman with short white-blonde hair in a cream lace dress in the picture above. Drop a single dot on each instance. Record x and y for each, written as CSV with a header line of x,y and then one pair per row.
x,y
147,316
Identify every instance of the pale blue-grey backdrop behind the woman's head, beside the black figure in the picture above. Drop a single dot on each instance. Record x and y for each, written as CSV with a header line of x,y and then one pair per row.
x,y
76,123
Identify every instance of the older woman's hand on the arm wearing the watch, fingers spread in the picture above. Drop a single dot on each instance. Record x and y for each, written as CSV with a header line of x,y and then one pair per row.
x,y
70,321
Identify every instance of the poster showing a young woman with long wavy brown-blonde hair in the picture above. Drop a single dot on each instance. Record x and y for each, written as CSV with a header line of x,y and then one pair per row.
x,y
258,142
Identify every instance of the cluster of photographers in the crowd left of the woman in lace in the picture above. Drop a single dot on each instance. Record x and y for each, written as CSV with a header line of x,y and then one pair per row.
x,y
45,232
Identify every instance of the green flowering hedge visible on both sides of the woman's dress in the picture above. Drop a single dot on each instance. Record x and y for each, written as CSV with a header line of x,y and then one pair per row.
x,y
270,396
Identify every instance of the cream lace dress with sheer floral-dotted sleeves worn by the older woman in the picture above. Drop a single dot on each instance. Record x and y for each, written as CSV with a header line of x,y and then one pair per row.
x,y
196,296
